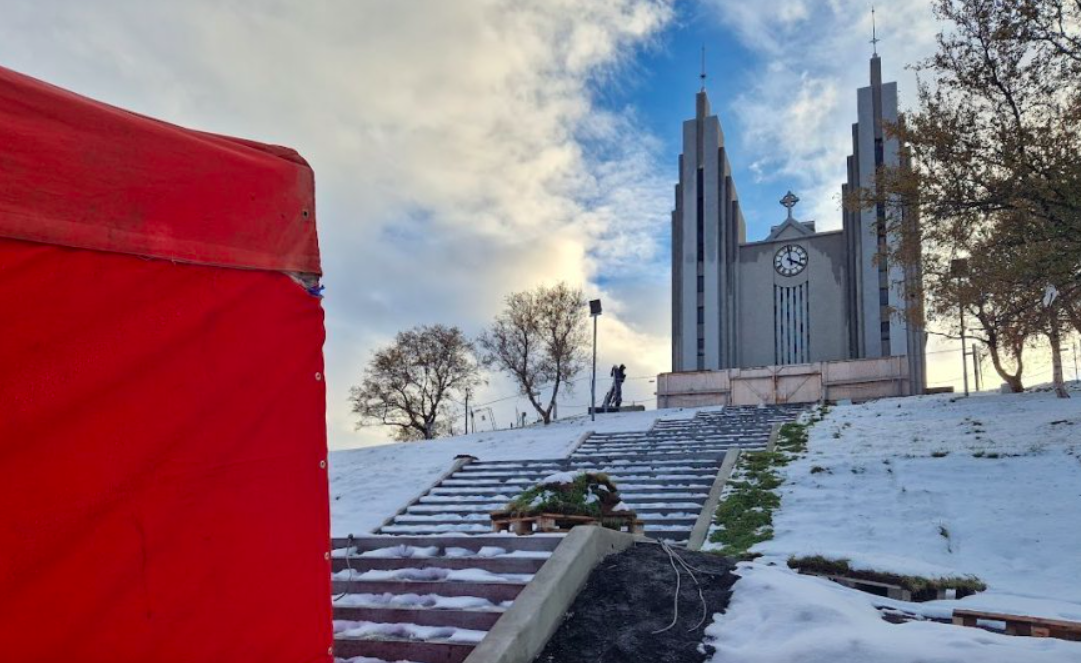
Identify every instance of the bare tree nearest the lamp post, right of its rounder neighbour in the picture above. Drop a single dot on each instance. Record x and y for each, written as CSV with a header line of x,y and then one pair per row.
x,y
540,340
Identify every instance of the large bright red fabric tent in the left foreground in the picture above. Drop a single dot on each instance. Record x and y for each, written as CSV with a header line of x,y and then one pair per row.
x,y
163,434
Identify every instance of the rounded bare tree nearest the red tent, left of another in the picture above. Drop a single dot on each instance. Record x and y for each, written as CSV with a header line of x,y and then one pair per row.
x,y
409,384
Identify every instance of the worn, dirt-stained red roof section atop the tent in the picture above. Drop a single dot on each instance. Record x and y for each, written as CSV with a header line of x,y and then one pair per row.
x,y
82,174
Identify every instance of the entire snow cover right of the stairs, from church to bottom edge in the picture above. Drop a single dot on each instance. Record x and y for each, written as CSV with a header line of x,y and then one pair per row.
x,y
990,486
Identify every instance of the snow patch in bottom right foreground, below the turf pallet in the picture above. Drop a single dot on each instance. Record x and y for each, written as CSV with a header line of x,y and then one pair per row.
x,y
778,616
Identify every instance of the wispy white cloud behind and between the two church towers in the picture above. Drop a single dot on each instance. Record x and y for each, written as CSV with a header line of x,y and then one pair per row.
x,y
812,57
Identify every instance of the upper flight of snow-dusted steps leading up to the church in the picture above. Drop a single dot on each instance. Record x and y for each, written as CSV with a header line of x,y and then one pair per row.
x,y
664,474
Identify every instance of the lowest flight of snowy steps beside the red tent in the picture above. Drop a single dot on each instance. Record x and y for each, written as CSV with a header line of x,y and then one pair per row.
x,y
428,600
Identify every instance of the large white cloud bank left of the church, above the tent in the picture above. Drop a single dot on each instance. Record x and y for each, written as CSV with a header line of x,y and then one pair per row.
x,y
458,150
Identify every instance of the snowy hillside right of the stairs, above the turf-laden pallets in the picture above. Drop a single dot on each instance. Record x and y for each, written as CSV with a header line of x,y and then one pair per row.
x,y
989,486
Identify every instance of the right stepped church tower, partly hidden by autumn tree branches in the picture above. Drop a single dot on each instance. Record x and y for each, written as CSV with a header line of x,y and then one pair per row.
x,y
880,296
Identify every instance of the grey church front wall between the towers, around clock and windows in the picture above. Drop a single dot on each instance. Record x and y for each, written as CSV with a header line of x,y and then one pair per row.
x,y
825,308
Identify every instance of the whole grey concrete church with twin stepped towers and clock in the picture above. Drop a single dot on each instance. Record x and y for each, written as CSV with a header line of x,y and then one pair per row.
x,y
799,296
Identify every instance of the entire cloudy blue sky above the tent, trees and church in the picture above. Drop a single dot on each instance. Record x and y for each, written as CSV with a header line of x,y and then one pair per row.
x,y
466,150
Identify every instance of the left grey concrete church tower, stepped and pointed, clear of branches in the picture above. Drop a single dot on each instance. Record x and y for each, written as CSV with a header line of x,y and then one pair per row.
x,y
708,231
